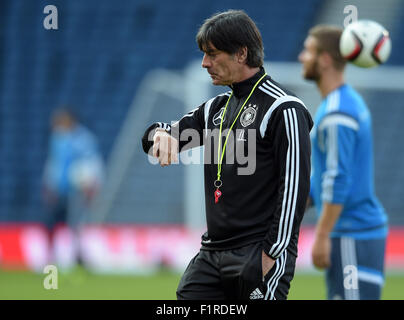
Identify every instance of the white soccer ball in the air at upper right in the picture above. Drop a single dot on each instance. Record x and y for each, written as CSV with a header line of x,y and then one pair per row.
x,y
365,43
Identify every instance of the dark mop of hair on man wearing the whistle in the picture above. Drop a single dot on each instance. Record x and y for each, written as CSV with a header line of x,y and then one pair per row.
x,y
231,31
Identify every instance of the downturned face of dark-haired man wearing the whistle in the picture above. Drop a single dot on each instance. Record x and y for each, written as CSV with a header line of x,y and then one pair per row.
x,y
222,66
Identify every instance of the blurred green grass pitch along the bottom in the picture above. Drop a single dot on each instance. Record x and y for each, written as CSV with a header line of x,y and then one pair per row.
x,y
81,284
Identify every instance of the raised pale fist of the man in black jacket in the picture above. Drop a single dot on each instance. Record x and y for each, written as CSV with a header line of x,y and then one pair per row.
x,y
165,148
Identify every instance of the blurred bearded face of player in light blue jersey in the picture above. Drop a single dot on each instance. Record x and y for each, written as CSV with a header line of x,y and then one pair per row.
x,y
309,59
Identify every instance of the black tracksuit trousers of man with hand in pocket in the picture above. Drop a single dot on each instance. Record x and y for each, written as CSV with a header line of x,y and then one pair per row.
x,y
236,274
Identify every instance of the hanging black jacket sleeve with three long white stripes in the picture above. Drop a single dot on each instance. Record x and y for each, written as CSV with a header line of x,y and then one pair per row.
x,y
290,128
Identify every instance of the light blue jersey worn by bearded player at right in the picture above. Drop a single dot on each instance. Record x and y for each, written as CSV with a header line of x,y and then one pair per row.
x,y
342,160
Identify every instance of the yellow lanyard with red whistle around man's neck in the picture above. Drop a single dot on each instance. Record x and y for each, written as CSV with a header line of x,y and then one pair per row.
x,y
218,183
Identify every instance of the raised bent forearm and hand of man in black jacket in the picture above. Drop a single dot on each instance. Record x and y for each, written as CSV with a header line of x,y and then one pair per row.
x,y
164,141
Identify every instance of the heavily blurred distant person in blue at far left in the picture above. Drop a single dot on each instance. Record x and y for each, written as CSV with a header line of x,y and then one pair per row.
x,y
72,177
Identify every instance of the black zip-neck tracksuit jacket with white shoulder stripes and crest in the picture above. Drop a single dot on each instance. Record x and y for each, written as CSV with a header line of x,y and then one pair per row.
x,y
266,204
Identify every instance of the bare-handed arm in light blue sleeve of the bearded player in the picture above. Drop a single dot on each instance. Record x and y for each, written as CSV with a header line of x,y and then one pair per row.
x,y
339,132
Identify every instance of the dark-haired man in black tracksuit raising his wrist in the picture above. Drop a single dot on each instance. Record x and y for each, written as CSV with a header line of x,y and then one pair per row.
x,y
257,175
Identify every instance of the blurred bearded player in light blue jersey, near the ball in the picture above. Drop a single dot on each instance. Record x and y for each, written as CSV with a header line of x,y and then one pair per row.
x,y
352,226
